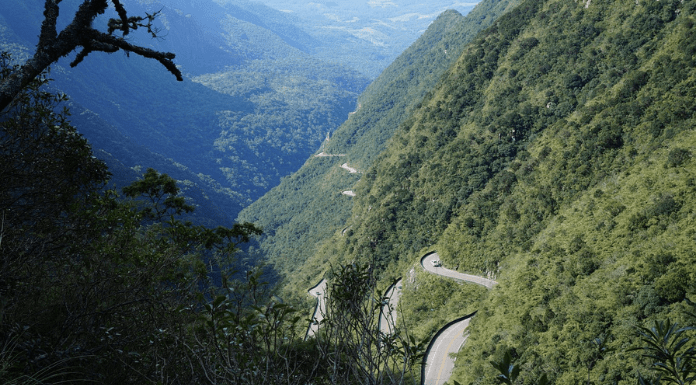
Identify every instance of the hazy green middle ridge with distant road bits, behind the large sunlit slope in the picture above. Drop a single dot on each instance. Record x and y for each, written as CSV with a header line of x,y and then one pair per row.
x,y
309,207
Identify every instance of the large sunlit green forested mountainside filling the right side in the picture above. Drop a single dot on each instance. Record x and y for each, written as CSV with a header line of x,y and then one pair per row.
x,y
556,155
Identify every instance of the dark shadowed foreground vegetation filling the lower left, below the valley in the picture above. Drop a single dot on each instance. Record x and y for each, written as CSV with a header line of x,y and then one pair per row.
x,y
113,287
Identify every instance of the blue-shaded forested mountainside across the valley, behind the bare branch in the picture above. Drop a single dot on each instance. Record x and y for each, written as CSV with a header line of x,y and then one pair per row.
x,y
236,124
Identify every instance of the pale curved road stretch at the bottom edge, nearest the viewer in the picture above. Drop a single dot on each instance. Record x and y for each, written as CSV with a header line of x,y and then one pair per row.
x,y
439,364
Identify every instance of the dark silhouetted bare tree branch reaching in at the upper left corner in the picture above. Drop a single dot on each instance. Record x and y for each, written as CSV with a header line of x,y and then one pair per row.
x,y
79,33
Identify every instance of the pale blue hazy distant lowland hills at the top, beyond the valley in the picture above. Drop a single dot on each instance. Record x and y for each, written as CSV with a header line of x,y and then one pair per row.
x,y
367,35
